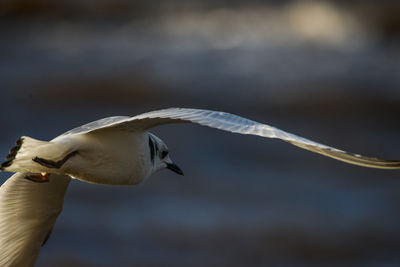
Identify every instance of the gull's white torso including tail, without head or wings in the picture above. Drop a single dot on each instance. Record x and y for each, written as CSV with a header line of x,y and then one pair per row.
x,y
110,157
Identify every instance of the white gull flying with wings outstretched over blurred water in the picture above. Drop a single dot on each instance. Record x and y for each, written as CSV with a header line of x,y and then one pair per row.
x,y
116,150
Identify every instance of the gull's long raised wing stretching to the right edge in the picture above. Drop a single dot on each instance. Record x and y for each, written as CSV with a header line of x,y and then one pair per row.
x,y
236,124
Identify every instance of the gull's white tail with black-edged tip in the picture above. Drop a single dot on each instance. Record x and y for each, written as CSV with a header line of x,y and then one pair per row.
x,y
31,155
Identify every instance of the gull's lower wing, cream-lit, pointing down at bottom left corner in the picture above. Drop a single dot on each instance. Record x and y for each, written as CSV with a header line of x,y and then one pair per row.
x,y
28,213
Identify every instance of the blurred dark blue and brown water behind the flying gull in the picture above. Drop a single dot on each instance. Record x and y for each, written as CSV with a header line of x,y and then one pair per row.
x,y
325,70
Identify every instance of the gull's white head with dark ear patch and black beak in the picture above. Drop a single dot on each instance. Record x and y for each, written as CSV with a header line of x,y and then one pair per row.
x,y
159,155
